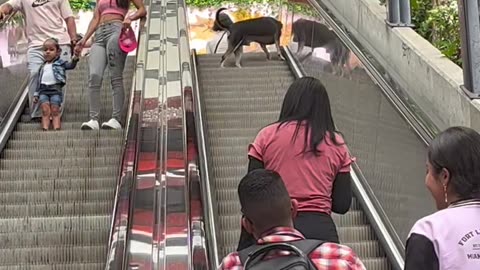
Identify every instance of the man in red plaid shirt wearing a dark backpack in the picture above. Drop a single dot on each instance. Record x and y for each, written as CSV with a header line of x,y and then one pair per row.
x,y
268,214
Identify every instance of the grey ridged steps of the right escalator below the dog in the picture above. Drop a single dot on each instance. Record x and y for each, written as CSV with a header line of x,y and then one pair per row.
x,y
237,103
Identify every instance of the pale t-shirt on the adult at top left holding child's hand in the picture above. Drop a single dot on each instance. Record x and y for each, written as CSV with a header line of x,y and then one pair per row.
x,y
44,19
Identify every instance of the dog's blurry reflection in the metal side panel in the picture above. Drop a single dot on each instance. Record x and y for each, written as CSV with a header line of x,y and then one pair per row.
x,y
317,35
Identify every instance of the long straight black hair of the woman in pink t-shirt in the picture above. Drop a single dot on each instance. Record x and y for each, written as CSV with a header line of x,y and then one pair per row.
x,y
307,103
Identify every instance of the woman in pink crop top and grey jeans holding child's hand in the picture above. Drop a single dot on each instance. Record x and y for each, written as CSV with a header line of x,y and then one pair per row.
x,y
109,19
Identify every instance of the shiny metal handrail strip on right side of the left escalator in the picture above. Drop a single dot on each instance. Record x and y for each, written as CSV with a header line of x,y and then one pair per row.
x,y
121,213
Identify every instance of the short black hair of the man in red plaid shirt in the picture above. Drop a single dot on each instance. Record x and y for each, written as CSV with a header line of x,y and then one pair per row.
x,y
264,199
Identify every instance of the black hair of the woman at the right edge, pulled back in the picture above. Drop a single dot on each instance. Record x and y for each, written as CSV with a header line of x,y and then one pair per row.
x,y
457,150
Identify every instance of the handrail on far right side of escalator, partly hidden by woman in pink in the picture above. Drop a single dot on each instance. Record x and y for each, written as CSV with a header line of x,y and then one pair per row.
x,y
360,191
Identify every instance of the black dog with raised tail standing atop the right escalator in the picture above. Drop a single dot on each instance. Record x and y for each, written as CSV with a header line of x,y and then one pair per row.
x,y
264,31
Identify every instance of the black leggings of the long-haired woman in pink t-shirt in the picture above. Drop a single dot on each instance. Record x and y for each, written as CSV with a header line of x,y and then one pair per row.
x,y
312,225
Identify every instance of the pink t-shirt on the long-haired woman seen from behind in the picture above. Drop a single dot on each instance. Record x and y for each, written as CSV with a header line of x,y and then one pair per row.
x,y
309,178
